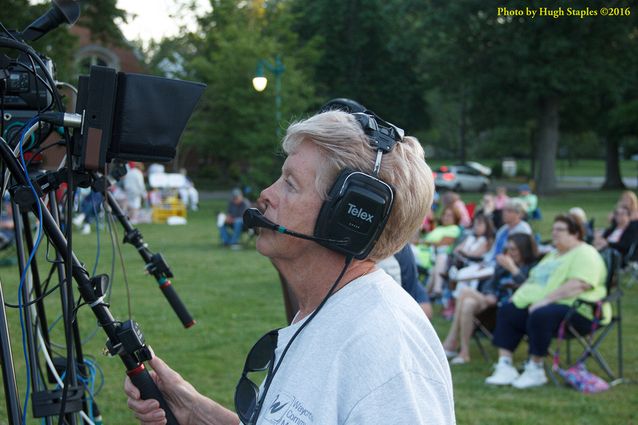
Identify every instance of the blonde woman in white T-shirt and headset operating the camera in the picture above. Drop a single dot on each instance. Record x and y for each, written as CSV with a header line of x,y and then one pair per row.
x,y
352,191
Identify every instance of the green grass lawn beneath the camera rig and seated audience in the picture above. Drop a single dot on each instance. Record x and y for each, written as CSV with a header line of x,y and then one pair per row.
x,y
235,297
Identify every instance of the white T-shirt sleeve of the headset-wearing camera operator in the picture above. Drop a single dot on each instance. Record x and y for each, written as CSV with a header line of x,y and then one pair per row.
x,y
408,398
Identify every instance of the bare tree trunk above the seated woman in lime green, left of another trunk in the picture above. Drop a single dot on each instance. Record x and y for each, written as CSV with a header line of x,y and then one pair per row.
x,y
546,146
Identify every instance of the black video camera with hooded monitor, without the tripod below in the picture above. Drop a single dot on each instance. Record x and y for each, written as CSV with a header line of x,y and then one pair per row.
x,y
118,115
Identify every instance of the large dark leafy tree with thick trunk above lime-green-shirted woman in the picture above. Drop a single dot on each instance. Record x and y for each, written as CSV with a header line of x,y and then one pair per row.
x,y
517,68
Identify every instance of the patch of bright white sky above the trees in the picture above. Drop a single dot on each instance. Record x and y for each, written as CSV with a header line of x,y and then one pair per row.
x,y
155,19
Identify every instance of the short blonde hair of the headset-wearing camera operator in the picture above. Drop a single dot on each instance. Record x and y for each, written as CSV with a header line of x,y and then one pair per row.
x,y
343,144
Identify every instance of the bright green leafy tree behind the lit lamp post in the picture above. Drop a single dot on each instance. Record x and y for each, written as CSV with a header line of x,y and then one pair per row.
x,y
233,129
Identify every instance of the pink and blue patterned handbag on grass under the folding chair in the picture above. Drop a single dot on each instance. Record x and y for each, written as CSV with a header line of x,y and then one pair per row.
x,y
577,375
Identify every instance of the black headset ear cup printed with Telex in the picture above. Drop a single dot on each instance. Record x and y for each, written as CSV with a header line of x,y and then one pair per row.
x,y
357,209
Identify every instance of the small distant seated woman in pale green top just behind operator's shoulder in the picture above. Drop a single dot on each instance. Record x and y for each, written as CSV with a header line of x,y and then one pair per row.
x,y
437,244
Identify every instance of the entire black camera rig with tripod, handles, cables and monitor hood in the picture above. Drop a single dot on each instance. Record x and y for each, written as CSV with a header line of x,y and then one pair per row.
x,y
118,116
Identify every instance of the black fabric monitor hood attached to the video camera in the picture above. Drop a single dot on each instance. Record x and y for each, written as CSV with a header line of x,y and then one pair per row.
x,y
131,117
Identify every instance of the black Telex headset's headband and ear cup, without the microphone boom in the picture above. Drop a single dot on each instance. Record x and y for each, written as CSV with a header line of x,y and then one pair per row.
x,y
358,205
